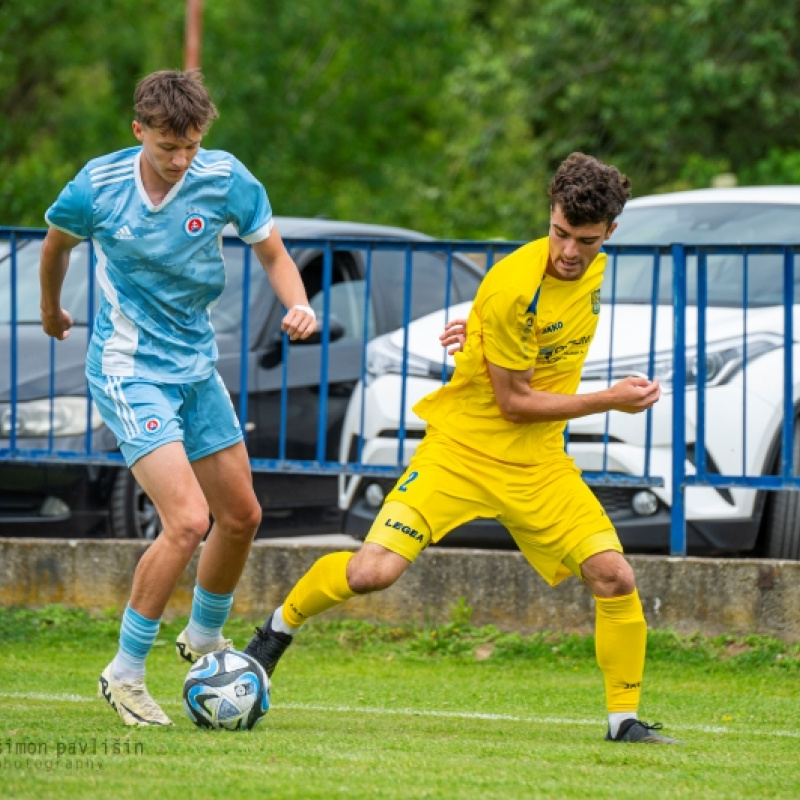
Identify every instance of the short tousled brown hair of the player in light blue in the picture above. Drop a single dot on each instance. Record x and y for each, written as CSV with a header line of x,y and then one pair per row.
x,y
175,102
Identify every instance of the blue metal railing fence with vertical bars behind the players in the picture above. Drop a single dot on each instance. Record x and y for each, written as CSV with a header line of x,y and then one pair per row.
x,y
18,445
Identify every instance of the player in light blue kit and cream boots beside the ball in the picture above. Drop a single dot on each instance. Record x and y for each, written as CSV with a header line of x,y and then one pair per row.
x,y
155,214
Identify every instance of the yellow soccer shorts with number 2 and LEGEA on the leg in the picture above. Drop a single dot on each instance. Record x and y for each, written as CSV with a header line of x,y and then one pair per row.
x,y
554,517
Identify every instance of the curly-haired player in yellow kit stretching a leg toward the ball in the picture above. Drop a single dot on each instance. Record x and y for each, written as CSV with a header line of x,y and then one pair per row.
x,y
494,445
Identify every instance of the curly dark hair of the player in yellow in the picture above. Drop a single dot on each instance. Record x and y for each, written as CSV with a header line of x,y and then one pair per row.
x,y
588,191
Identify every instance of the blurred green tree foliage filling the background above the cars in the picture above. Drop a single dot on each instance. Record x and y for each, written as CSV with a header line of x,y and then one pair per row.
x,y
443,115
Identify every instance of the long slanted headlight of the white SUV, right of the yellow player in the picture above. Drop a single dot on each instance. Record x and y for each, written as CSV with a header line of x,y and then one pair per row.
x,y
724,359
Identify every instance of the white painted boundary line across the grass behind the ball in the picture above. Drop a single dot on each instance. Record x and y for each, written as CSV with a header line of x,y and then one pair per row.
x,y
413,712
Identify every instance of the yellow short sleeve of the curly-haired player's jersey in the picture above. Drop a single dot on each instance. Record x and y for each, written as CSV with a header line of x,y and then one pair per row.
x,y
509,334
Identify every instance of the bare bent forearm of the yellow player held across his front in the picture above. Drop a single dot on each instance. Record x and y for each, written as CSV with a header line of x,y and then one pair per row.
x,y
520,403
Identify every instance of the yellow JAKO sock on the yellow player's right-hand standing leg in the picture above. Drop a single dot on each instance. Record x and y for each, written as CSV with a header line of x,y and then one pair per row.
x,y
620,644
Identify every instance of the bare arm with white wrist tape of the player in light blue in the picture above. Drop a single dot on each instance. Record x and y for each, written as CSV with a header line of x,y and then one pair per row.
x,y
284,277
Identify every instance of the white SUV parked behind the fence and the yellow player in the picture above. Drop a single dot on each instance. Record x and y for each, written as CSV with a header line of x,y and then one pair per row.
x,y
744,357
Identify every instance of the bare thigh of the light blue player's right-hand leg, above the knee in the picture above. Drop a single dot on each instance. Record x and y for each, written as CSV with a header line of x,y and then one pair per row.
x,y
227,483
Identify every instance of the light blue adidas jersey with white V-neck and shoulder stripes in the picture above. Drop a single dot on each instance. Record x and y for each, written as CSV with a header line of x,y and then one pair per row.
x,y
160,268
